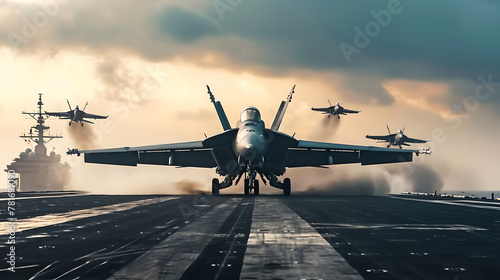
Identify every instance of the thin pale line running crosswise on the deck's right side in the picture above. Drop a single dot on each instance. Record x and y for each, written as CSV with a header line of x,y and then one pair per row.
x,y
396,226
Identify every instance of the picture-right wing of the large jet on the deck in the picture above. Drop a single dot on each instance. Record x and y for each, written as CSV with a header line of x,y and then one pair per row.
x,y
308,153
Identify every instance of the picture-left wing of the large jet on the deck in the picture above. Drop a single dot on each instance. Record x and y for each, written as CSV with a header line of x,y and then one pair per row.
x,y
211,152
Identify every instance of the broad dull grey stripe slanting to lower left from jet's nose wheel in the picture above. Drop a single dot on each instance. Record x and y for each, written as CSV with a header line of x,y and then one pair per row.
x,y
170,258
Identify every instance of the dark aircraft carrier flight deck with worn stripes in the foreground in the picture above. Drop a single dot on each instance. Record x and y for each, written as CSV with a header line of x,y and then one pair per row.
x,y
73,235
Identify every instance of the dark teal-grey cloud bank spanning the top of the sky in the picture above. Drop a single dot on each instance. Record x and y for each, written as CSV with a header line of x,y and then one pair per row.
x,y
277,37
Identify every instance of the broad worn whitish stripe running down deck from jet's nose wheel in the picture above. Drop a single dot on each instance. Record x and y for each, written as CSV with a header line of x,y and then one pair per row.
x,y
282,245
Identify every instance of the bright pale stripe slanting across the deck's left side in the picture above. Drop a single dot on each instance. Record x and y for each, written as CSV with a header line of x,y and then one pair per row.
x,y
59,218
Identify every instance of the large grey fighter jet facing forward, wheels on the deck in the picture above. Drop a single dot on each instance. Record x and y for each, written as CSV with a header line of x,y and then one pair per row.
x,y
249,150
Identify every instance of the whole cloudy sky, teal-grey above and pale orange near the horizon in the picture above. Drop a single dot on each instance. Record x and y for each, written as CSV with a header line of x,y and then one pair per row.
x,y
429,66
